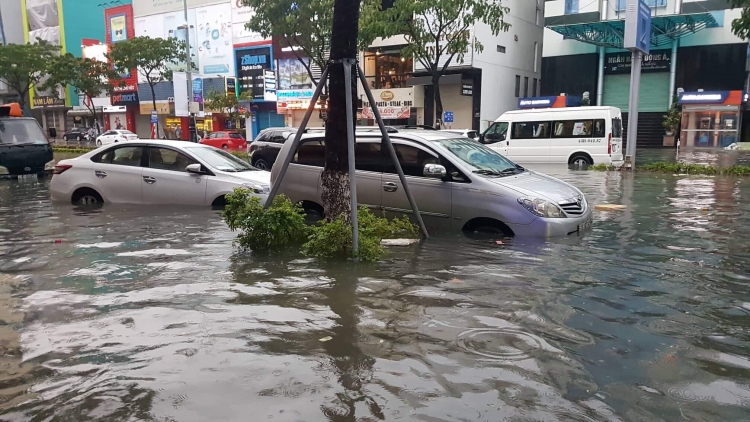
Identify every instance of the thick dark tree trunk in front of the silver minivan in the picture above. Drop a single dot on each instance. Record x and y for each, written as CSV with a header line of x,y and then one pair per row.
x,y
335,178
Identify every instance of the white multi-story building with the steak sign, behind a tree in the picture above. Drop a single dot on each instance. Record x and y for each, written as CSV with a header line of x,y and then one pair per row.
x,y
475,91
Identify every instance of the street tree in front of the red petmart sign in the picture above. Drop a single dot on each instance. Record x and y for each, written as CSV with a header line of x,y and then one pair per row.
x,y
91,78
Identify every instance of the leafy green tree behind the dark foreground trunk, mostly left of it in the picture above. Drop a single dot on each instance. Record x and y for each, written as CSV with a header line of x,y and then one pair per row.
x,y
304,26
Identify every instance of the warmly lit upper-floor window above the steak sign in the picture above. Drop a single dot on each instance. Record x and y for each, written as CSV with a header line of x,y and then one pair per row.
x,y
387,68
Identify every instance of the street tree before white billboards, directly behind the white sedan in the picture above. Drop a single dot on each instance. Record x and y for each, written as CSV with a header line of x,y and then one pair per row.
x,y
155,58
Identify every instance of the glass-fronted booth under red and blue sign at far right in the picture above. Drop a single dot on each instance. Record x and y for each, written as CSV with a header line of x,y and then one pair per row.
x,y
710,126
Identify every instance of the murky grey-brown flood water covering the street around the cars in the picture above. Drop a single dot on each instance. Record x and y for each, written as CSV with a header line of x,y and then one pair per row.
x,y
149,313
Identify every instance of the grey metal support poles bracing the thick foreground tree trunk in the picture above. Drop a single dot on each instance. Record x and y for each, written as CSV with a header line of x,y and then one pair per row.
x,y
348,63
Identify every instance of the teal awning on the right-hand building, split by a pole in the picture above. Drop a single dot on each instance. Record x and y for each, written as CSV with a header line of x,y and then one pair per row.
x,y
664,29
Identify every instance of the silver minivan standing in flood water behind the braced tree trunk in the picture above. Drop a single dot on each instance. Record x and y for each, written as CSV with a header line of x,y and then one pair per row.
x,y
458,184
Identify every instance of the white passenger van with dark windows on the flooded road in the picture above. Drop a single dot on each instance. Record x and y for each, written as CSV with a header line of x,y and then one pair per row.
x,y
575,136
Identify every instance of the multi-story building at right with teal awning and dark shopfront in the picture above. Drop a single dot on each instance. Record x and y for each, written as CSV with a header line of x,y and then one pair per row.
x,y
692,49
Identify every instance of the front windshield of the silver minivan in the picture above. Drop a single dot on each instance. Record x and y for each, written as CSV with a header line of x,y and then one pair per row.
x,y
479,158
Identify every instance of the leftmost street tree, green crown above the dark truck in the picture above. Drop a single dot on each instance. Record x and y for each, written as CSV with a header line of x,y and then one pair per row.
x,y
26,66
